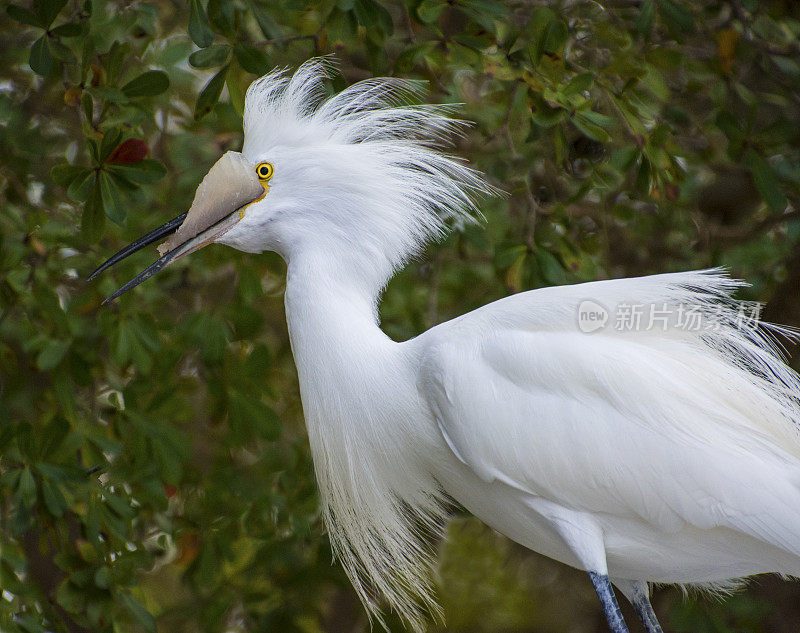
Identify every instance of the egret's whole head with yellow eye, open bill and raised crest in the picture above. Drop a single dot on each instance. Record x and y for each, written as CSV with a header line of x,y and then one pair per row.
x,y
355,177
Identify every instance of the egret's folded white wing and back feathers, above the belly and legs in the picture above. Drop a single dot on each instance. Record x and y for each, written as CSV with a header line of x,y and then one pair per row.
x,y
671,427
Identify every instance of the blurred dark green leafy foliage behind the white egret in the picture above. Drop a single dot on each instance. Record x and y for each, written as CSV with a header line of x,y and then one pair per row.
x,y
154,471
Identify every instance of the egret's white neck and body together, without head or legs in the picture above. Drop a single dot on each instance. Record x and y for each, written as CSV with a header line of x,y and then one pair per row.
x,y
650,450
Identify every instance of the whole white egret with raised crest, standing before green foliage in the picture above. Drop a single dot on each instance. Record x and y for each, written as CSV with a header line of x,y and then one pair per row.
x,y
638,429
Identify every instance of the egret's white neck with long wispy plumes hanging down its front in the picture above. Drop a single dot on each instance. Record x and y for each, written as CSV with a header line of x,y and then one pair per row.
x,y
361,405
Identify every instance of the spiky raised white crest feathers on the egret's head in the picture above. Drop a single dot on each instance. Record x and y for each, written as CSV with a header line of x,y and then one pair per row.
x,y
397,190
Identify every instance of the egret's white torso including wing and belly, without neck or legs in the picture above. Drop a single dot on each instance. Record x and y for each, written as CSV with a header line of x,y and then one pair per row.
x,y
656,441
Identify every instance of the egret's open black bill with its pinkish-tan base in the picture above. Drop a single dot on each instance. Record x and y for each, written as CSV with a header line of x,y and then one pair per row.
x,y
219,203
